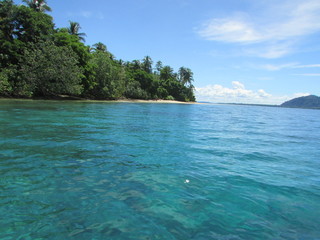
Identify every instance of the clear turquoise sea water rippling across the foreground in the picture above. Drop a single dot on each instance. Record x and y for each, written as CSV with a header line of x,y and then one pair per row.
x,y
75,170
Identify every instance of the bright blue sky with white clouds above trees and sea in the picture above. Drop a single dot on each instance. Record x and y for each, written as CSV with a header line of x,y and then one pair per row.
x,y
240,51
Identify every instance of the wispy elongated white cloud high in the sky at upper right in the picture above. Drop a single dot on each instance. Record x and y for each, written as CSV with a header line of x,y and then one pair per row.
x,y
301,19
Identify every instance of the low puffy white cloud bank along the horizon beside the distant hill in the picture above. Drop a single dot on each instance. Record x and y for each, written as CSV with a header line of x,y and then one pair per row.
x,y
239,94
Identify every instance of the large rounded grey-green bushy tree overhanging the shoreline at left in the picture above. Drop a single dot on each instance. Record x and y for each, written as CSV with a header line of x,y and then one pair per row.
x,y
50,70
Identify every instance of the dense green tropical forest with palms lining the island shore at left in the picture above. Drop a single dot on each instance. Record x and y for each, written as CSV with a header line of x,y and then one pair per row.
x,y
38,60
